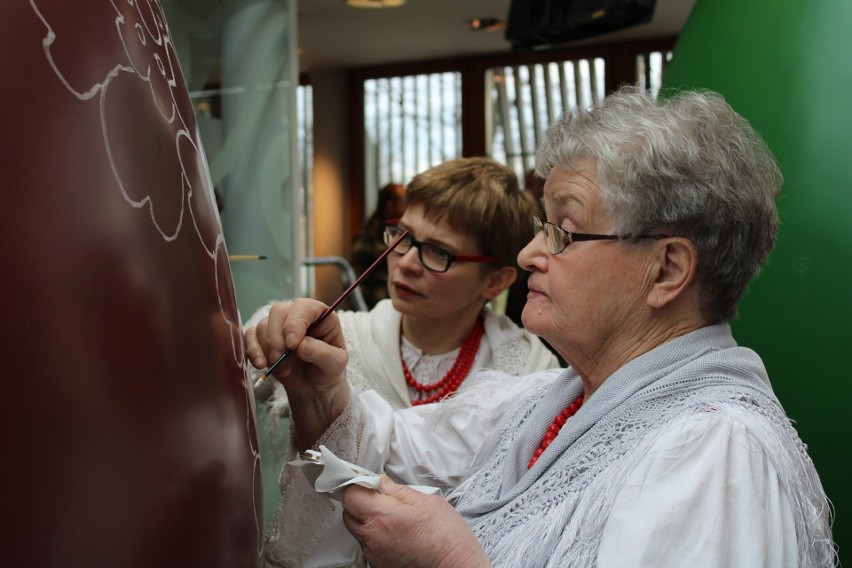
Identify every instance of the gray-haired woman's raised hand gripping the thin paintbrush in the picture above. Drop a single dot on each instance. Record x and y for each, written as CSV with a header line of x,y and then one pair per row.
x,y
315,374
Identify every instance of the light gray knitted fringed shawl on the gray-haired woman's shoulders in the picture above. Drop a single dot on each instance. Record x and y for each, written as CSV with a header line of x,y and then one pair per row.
x,y
554,514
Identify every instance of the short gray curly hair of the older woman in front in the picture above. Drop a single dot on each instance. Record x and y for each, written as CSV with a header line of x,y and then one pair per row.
x,y
687,165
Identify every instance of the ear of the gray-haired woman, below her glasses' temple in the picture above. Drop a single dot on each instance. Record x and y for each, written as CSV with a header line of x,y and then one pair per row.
x,y
677,264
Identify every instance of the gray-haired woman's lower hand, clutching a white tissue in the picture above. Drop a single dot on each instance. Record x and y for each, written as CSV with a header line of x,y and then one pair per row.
x,y
404,527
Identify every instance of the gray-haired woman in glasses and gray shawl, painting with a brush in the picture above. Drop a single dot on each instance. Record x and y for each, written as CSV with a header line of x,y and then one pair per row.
x,y
662,443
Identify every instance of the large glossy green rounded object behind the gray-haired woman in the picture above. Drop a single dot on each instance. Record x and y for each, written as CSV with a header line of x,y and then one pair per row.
x,y
787,67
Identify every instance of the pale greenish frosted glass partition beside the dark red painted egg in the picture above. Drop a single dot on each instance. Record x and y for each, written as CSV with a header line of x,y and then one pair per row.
x,y
238,59
